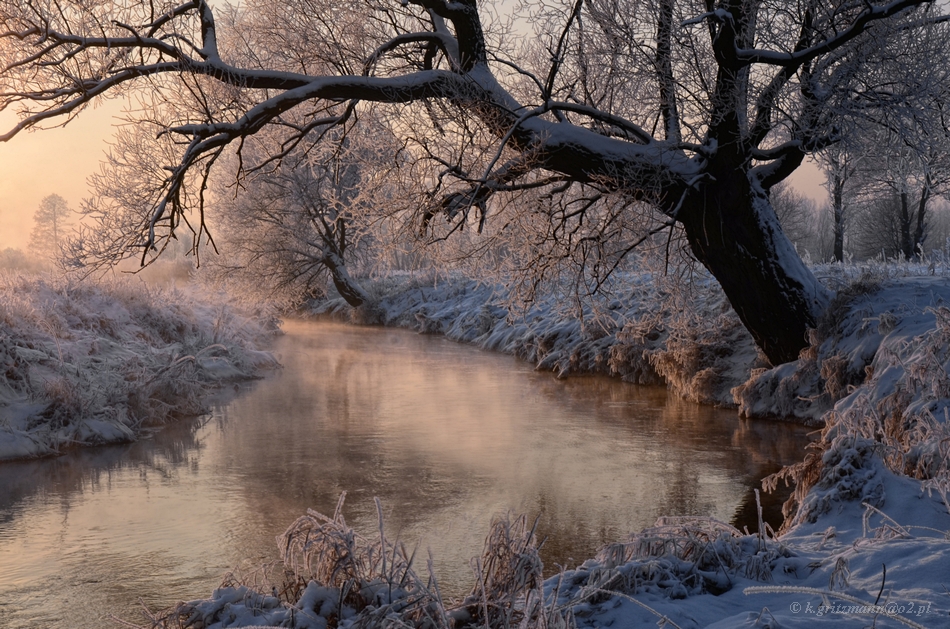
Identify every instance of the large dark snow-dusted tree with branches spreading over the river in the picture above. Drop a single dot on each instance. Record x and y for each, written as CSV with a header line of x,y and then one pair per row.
x,y
696,108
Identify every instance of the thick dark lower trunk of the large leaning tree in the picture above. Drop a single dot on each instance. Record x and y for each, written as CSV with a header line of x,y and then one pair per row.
x,y
734,232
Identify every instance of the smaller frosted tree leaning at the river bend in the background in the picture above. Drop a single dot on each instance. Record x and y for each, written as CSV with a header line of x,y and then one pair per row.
x,y
297,224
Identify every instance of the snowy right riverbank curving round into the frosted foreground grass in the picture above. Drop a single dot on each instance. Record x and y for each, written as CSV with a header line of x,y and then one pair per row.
x,y
868,540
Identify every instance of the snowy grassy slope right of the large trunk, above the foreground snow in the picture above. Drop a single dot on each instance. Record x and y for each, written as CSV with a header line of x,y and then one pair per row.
x,y
876,377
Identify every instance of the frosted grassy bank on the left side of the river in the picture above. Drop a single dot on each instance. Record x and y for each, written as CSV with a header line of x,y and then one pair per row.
x,y
89,363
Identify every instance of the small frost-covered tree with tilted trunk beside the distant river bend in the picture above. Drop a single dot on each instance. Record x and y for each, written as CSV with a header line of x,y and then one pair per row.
x,y
303,223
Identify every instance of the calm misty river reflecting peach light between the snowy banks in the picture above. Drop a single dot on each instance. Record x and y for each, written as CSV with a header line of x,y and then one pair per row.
x,y
446,436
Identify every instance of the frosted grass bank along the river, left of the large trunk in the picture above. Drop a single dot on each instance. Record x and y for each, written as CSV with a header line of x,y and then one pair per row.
x,y
653,329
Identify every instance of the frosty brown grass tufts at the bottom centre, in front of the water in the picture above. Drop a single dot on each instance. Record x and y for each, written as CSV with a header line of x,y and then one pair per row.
x,y
332,574
